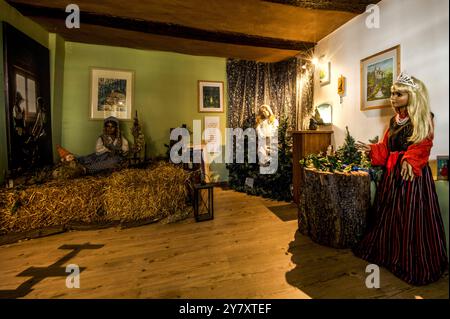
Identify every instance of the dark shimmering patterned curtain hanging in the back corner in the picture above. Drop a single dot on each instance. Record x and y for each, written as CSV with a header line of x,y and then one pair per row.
x,y
251,84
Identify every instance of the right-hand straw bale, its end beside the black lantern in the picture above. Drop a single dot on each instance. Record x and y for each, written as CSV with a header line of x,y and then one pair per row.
x,y
146,194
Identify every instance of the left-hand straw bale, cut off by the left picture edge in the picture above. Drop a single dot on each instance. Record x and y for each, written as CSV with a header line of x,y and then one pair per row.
x,y
51,204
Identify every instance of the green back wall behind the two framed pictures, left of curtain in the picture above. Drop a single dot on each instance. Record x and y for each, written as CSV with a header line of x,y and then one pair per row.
x,y
165,94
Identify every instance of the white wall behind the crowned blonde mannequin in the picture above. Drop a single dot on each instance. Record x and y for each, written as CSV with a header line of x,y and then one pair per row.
x,y
421,27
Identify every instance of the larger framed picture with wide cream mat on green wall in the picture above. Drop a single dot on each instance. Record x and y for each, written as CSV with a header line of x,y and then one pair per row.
x,y
111,93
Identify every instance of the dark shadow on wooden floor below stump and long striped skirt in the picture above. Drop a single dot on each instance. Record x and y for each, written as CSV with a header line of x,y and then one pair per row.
x,y
329,273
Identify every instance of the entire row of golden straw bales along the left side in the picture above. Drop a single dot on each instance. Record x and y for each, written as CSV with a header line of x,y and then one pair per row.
x,y
130,195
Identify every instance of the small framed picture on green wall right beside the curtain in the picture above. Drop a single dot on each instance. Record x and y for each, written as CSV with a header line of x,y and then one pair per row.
x,y
210,95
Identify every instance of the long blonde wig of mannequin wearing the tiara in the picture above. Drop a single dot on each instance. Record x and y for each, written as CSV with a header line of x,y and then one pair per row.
x,y
418,109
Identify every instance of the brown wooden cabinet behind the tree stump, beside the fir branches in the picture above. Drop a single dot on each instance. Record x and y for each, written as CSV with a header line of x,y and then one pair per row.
x,y
304,143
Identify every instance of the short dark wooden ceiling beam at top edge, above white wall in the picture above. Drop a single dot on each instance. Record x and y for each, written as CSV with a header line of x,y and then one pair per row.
x,y
354,6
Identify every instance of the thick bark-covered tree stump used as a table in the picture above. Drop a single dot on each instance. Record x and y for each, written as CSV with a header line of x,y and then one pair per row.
x,y
333,207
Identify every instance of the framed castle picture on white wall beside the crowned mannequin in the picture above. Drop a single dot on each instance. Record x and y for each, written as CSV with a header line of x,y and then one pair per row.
x,y
378,73
